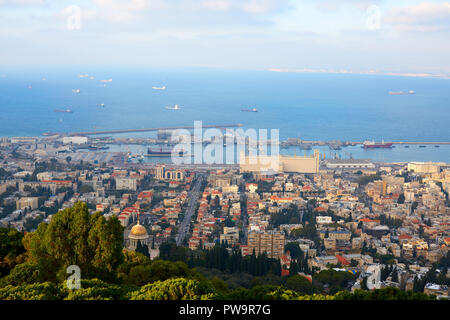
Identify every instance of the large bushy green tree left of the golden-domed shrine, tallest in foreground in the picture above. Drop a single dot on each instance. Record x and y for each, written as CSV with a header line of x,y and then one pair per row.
x,y
74,237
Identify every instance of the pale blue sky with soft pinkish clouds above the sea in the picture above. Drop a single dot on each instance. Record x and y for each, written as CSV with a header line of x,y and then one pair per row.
x,y
398,36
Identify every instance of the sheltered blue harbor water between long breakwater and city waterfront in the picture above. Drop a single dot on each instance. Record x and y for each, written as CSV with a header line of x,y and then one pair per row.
x,y
161,144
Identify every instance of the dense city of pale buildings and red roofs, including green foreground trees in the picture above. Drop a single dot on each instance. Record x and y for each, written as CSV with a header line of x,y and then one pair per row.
x,y
325,229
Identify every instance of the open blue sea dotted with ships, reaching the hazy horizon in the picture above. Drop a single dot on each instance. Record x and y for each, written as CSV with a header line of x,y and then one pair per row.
x,y
310,106
